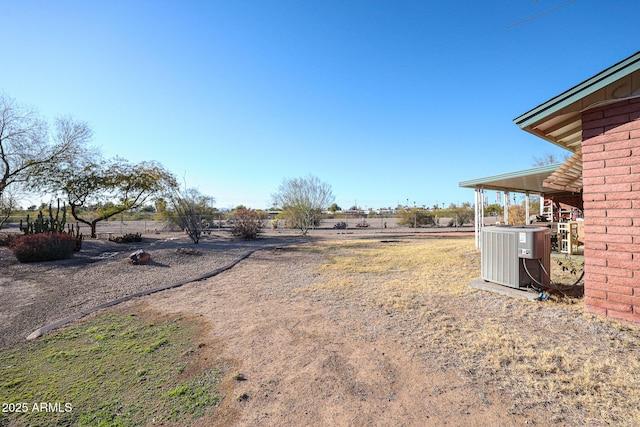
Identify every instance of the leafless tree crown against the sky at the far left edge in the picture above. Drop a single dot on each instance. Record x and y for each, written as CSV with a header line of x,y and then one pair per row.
x,y
26,148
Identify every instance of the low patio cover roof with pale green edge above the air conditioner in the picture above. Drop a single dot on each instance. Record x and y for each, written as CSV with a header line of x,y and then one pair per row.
x,y
524,181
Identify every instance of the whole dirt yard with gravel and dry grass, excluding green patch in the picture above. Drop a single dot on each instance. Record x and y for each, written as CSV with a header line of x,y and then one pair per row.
x,y
323,338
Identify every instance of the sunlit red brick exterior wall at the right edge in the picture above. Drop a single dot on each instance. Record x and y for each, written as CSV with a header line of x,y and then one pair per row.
x,y
611,179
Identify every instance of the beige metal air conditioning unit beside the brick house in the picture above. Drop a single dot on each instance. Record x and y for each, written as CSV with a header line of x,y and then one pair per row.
x,y
517,257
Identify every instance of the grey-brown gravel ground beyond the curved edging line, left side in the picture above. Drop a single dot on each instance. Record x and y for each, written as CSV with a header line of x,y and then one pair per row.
x,y
36,294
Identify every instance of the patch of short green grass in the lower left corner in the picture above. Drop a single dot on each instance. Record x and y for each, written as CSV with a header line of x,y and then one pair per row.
x,y
113,370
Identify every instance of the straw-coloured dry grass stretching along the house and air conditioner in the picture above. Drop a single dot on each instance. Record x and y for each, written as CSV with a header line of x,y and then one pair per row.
x,y
548,357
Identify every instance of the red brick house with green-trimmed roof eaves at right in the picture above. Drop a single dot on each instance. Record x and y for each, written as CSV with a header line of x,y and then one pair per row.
x,y
599,120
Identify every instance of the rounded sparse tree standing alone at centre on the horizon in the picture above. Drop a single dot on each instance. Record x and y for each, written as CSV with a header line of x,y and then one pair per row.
x,y
302,201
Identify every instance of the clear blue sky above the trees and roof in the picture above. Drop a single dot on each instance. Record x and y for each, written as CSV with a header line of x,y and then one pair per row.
x,y
384,100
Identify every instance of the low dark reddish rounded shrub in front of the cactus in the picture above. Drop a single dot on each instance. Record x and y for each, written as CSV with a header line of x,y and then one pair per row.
x,y
43,247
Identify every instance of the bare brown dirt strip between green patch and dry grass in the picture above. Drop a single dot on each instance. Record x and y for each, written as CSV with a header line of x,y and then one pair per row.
x,y
310,360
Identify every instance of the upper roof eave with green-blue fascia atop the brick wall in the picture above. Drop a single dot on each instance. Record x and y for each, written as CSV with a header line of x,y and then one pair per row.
x,y
559,120
